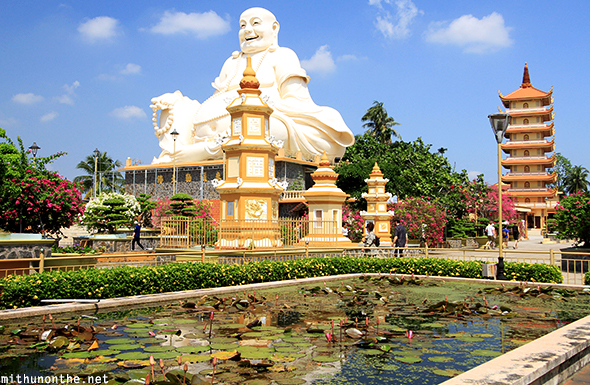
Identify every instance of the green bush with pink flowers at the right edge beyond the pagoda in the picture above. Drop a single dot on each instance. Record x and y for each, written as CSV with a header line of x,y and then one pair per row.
x,y
573,218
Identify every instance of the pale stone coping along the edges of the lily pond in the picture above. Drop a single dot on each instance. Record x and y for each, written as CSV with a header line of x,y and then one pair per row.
x,y
550,359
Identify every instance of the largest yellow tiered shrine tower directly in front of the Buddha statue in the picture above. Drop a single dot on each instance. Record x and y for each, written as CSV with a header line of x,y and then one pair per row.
x,y
250,193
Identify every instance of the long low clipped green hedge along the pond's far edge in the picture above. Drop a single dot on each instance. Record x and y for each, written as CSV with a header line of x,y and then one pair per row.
x,y
29,290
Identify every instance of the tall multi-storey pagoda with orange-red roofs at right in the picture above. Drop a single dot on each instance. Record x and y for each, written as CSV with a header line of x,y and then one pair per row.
x,y
528,150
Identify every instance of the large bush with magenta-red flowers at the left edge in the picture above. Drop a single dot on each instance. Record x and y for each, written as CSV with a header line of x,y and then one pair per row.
x,y
32,198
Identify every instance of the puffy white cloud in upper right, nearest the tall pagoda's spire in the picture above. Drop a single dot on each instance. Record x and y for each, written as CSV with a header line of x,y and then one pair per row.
x,y
476,35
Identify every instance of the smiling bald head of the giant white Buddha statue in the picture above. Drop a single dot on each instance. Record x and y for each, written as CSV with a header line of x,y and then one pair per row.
x,y
259,30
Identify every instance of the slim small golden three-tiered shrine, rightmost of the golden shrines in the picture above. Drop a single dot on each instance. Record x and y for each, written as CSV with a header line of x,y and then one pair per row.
x,y
377,206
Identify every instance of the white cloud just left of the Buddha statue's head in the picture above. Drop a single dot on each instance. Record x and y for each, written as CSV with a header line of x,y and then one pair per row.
x,y
202,25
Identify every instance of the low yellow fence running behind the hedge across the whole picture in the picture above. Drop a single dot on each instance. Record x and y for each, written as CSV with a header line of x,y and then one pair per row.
x,y
572,265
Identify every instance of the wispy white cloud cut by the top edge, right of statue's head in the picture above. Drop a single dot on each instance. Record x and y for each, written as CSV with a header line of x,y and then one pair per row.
x,y
395,27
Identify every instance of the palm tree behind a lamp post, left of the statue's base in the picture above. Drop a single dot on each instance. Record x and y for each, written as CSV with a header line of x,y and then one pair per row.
x,y
108,178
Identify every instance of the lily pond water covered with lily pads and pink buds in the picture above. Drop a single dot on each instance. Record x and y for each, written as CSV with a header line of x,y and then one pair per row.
x,y
293,335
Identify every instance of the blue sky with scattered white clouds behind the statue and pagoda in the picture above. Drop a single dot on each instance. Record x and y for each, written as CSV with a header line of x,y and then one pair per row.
x,y
79,75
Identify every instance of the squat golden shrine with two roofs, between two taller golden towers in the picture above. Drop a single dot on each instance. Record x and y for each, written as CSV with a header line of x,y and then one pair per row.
x,y
325,201
